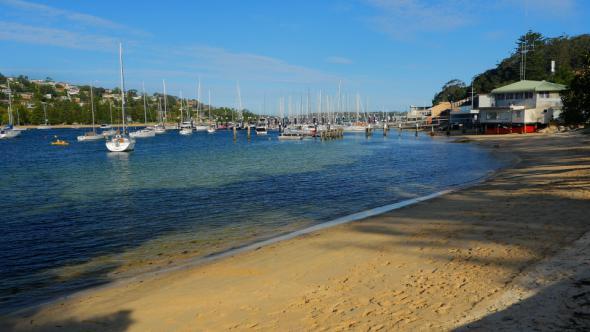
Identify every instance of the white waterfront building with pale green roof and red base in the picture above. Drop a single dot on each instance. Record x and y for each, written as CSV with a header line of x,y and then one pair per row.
x,y
520,107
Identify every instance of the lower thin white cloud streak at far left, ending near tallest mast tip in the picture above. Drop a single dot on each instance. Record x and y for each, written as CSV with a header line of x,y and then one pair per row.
x,y
55,37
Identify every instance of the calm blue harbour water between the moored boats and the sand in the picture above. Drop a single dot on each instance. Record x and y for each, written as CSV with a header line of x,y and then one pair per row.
x,y
78,216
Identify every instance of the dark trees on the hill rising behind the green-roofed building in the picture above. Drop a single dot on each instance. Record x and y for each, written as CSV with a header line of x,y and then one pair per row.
x,y
568,53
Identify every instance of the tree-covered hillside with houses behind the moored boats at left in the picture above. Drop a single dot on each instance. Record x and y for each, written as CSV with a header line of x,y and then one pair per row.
x,y
64,109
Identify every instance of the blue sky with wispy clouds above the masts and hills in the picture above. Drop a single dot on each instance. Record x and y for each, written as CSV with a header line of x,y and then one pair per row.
x,y
392,52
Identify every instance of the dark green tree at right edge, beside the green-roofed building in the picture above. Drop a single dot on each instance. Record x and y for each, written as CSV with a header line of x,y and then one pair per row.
x,y
576,98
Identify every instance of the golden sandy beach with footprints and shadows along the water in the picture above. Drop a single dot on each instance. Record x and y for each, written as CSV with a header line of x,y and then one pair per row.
x,y
511,253
